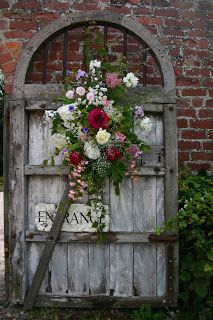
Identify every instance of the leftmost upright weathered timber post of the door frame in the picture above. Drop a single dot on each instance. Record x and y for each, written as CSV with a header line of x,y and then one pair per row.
x,y
16,210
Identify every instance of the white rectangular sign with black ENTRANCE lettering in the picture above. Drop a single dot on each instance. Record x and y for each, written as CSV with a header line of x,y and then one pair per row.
x,y
76,219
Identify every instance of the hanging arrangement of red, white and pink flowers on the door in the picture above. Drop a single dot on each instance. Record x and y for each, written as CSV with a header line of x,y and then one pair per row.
x,y
95,133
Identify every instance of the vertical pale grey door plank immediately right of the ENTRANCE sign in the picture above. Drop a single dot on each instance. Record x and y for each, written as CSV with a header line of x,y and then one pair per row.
x,y
121,255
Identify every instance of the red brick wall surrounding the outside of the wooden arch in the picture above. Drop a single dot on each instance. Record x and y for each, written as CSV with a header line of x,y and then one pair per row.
x,y
183,27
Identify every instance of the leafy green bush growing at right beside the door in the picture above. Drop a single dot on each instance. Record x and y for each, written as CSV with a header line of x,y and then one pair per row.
x,y
194,223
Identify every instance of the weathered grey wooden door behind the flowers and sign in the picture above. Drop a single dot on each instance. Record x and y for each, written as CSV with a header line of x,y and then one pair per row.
x,y
133,266
